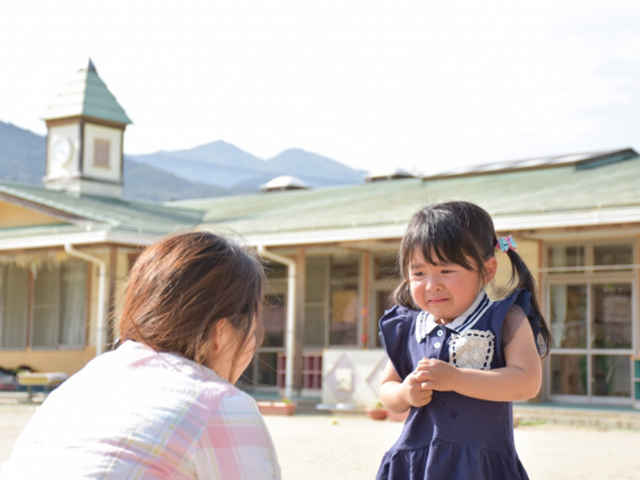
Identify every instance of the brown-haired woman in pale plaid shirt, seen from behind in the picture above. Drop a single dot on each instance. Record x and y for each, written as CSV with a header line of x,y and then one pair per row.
x,y
163,404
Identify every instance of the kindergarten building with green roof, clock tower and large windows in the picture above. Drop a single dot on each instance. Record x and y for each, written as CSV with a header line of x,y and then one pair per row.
x,y
66,249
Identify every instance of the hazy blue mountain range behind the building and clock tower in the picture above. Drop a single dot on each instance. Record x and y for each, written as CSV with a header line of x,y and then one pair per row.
x,y
213,169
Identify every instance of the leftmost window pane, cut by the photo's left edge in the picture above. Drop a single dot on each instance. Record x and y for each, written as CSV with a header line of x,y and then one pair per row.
x,y
13,306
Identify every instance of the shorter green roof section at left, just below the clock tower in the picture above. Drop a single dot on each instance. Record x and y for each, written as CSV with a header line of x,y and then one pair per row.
x,y
107,212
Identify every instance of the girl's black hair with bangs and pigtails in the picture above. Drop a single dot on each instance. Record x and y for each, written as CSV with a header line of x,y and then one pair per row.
x,y
454,232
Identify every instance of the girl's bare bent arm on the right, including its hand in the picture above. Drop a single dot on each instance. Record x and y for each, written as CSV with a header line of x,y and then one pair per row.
x,y
520,379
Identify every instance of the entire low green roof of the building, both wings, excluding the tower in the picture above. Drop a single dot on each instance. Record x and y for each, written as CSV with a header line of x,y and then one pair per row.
x,y
603,192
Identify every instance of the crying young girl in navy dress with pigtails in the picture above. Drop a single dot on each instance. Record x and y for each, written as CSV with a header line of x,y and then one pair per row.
x,y
457,358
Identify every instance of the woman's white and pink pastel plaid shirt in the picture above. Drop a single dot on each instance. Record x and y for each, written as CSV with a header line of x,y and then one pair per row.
x,y
137,414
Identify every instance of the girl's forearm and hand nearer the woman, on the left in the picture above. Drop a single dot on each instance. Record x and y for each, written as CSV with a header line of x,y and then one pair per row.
x,y
398,395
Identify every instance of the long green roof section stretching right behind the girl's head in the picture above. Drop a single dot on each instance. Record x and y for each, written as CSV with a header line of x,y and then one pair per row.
x,y
541,191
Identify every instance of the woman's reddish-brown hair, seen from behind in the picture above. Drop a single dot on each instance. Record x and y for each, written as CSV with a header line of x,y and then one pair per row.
x,y
180,287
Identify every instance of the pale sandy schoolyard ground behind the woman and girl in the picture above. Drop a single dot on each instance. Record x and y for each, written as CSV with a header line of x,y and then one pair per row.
x,y
317,447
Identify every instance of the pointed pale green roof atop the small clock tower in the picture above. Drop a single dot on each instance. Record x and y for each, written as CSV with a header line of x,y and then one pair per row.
x,y
87,95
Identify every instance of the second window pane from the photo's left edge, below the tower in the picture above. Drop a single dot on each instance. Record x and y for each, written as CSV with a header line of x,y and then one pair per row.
x,y
46,307
